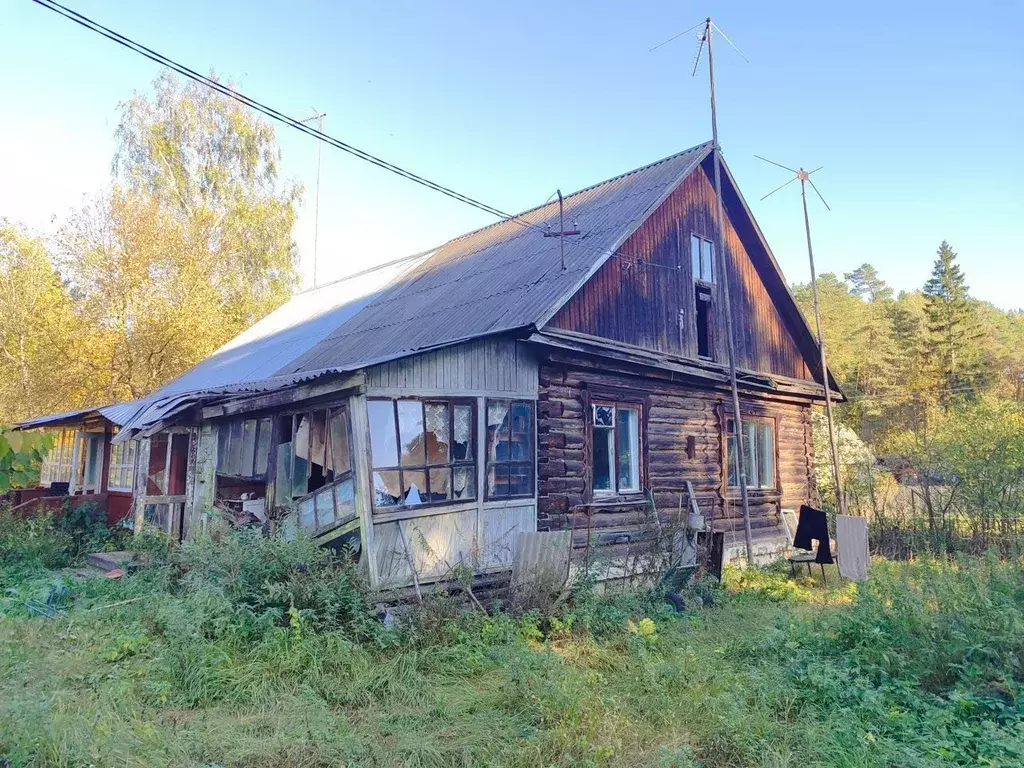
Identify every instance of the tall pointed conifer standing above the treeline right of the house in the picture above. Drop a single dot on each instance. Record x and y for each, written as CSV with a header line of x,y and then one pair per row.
x,y
954,331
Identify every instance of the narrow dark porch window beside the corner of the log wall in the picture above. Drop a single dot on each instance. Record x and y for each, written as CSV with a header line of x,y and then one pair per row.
x,y
510,449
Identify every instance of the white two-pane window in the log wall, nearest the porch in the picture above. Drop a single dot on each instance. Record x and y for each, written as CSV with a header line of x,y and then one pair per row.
x,y
616,444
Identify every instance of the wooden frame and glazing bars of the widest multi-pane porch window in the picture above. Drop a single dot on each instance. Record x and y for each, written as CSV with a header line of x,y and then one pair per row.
x,y
472,464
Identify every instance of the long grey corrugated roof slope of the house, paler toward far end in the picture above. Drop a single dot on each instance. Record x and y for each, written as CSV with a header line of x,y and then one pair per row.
x,y
501,278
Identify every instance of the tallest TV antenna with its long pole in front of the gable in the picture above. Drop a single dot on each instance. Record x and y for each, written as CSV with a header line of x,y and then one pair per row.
x,y
706,39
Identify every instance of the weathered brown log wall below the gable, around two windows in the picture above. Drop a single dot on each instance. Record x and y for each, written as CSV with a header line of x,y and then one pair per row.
x,y
673,414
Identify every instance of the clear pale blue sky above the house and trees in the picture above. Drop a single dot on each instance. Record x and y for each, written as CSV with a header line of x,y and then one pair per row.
x,y
915,109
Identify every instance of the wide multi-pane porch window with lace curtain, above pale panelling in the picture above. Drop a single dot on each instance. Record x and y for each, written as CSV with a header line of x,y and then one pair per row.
x,y
422,452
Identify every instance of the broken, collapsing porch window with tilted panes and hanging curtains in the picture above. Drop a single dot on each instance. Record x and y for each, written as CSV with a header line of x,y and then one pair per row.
x,y
315,467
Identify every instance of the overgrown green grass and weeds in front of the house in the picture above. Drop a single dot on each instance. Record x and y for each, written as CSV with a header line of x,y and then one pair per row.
x,y
235,657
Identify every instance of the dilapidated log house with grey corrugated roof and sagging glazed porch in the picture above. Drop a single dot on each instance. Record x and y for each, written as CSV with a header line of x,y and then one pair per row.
x,y
430,410
